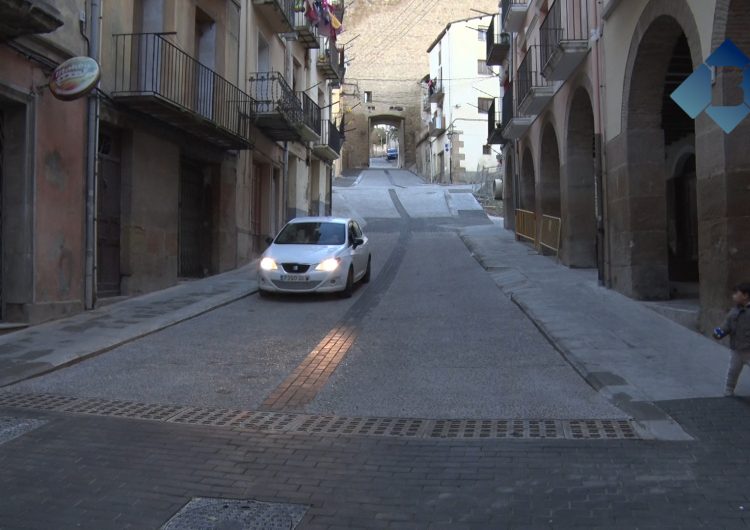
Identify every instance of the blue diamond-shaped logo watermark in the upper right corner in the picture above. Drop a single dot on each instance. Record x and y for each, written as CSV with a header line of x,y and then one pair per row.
x,y
694,94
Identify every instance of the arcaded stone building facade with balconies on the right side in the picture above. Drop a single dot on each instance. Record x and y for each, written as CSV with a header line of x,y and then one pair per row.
x,y
654,199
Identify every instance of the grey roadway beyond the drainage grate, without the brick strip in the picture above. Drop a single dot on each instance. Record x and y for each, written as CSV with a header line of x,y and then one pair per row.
x,y
434,338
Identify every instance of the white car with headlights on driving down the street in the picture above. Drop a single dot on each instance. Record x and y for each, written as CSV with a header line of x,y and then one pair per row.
x,y
316,254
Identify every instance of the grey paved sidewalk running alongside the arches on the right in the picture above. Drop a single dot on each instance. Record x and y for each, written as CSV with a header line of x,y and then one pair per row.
x,y
620,346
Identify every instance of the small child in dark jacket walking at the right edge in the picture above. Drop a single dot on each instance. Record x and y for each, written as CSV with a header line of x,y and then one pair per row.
x,y
737,327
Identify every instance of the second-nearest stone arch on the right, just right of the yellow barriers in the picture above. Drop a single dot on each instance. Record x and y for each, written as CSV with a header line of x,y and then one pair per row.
x,y
578,195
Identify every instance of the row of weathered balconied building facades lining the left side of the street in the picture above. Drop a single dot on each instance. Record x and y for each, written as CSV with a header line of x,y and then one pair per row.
x,y
195,164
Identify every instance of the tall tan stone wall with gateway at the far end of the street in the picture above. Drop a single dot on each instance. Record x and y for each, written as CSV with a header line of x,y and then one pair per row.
x,y
387,44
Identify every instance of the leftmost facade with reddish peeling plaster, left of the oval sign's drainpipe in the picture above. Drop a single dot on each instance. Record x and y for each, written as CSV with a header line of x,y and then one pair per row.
x,y
42,164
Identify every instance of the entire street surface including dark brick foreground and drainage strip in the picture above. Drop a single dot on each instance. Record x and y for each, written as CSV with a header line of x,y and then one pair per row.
x,y
421,381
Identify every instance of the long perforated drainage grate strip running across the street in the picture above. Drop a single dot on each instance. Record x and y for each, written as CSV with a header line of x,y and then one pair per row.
x,y
333,425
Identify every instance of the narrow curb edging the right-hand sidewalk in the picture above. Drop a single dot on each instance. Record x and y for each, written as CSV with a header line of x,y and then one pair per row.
x,y
652,422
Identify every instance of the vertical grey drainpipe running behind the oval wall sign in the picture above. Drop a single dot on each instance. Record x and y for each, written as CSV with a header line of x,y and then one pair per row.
x,y
91,154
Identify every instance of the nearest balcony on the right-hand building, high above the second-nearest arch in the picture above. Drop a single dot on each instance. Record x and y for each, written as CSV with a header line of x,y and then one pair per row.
x,y
564,38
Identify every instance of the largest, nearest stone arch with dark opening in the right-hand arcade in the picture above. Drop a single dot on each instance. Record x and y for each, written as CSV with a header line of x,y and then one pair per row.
x,y
664,50
